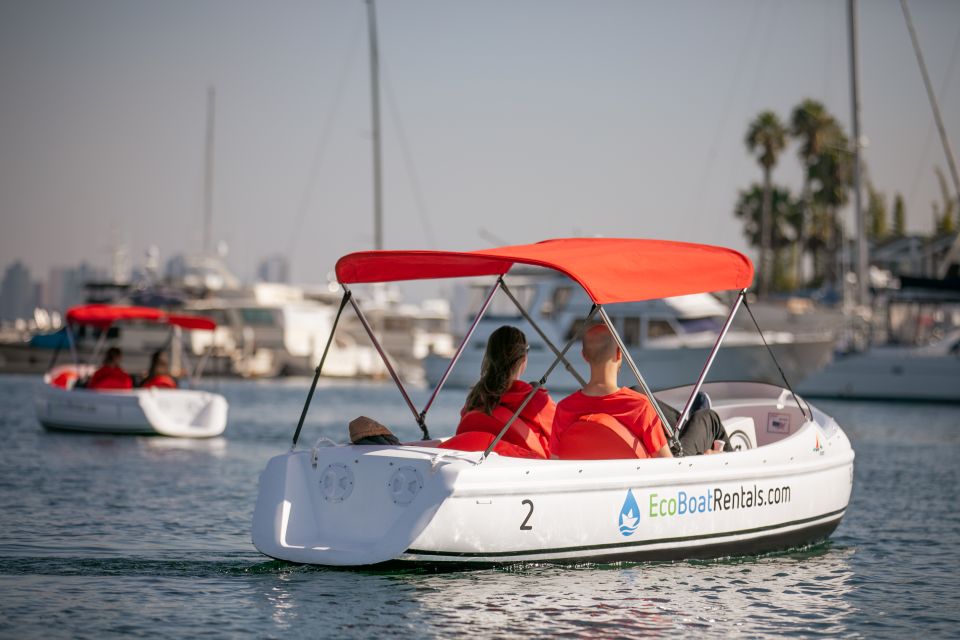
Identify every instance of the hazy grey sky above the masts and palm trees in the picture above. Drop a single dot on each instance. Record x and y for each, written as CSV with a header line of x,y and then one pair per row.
x,y
519,120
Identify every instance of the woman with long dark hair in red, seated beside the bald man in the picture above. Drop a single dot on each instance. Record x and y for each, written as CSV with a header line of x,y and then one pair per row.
x,y
497,396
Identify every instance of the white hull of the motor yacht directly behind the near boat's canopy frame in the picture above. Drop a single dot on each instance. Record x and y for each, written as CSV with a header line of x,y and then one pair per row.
x,y
663,368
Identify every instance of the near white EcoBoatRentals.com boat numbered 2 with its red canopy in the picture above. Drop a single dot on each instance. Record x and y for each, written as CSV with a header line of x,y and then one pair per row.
x,y
788,485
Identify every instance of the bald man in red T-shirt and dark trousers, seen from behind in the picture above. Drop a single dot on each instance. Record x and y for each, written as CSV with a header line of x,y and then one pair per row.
x,y
602,395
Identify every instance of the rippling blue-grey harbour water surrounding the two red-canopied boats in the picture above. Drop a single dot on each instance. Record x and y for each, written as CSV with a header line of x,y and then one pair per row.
x,y
132,536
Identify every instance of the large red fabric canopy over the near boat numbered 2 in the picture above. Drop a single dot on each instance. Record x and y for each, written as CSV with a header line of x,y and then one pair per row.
x,y
609,269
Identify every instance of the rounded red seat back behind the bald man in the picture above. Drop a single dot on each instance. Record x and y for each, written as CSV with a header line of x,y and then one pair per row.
x,y
599,436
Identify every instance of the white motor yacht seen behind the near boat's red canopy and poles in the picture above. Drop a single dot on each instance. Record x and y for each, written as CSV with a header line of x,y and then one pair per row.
x,y
670,336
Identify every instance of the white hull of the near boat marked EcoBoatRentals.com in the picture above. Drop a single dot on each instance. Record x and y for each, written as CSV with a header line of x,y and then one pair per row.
x,y
350,505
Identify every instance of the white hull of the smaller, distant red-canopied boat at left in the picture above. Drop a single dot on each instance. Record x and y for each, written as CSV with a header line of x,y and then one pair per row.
x,y
179,413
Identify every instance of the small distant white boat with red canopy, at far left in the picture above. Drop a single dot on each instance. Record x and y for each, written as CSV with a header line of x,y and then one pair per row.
x,y
181,413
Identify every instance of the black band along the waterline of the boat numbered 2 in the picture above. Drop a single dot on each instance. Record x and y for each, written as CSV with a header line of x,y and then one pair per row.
x,y
807,532
